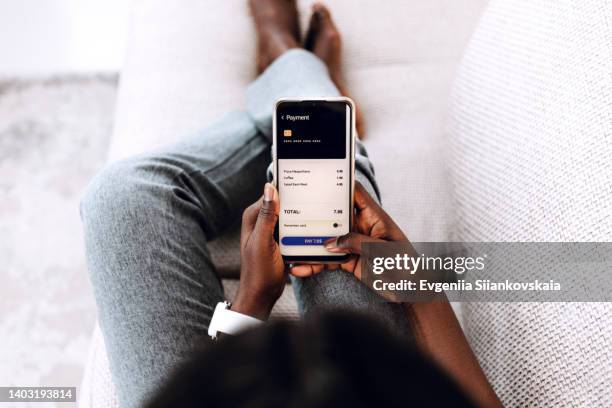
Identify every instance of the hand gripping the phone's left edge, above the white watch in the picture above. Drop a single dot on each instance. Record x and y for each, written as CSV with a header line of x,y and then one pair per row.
x,y
262,271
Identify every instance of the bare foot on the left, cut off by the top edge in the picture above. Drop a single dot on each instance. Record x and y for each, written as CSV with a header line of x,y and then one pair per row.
x,y
277,26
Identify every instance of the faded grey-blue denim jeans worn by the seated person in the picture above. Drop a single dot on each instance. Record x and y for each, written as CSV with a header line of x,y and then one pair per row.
x,y
147,221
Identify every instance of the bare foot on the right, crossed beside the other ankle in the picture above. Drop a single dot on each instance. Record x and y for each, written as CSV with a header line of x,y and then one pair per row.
x,y
323,40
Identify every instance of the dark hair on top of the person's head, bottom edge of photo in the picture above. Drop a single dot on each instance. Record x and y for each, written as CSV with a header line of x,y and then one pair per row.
x,y
333,359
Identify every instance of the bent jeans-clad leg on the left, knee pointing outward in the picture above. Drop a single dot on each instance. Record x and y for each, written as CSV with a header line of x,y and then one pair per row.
x,y
146,221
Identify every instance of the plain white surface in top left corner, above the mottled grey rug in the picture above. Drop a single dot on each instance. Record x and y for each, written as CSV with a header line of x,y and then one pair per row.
x,y
41,37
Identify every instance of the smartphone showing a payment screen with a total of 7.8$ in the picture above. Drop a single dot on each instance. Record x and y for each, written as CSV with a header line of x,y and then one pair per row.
x,y
314,165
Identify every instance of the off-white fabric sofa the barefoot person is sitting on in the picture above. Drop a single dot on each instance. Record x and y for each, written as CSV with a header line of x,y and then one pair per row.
x,y
519,95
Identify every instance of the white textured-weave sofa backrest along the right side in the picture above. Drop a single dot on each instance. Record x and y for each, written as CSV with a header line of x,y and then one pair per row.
x,y
531,161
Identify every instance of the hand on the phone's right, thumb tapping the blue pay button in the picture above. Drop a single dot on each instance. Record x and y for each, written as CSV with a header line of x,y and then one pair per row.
x,y
371,224
